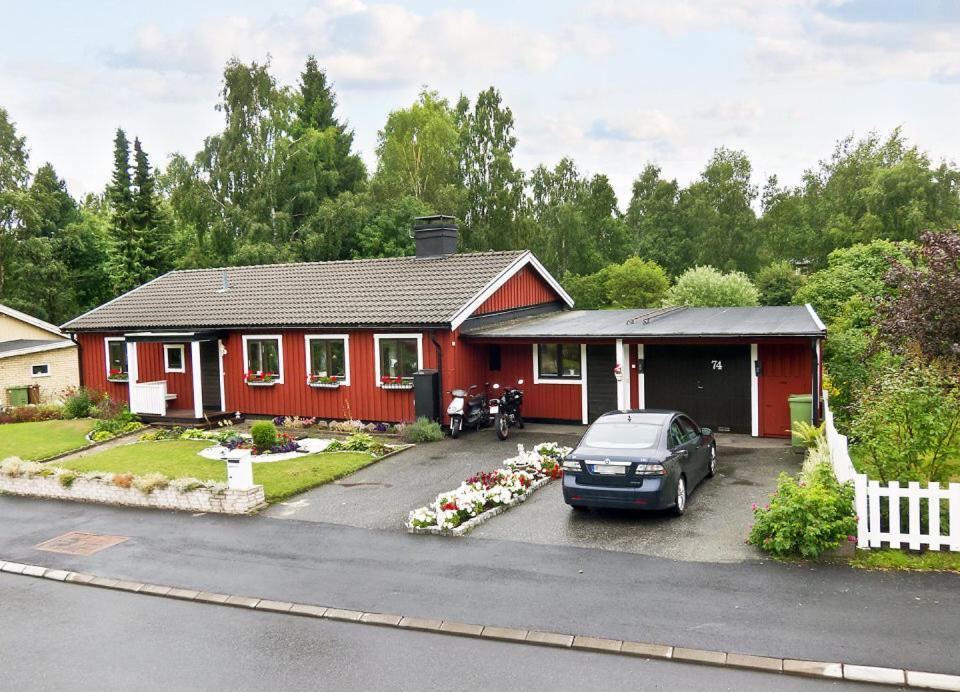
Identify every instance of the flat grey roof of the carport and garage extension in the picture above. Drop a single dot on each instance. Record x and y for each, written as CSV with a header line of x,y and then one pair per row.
x,y
660,323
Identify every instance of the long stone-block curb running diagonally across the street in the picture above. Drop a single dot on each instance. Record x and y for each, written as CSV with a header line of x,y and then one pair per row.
x,y
615,647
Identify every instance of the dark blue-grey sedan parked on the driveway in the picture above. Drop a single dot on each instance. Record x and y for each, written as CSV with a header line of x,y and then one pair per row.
x,y
639,460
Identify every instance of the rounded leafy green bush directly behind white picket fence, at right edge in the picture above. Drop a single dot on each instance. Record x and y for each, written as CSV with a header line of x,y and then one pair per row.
x,y
906,425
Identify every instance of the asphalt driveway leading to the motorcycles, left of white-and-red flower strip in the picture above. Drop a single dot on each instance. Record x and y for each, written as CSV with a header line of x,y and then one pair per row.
x,y
382,495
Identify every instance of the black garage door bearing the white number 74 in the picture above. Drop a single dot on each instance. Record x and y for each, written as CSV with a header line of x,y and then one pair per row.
x,y
710,383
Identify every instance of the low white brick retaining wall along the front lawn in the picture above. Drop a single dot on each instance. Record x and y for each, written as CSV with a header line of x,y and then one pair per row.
x,y
89,490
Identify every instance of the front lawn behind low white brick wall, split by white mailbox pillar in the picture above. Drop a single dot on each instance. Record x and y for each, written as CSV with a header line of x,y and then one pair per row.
x,y
179,459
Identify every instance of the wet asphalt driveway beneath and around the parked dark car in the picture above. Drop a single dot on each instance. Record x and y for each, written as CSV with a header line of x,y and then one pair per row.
x,y
717,520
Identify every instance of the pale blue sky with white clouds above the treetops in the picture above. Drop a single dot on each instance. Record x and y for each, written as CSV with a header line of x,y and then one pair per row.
x,y
614,84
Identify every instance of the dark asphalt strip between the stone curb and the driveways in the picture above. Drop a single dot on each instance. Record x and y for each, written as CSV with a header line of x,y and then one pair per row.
x,y
819,613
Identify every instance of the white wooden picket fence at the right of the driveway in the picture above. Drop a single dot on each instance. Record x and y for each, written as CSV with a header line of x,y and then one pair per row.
x,y
872,532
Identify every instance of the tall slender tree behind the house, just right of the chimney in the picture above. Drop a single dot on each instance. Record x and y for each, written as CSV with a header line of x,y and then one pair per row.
x,y
494,186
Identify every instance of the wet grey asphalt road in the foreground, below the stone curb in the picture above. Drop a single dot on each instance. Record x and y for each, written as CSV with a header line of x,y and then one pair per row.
x,y
57,636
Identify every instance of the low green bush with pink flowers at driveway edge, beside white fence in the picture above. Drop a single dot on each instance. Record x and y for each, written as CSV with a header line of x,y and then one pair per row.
x,y
806,516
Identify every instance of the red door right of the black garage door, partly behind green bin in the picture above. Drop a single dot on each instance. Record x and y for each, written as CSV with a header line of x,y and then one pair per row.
x,y
785,370
